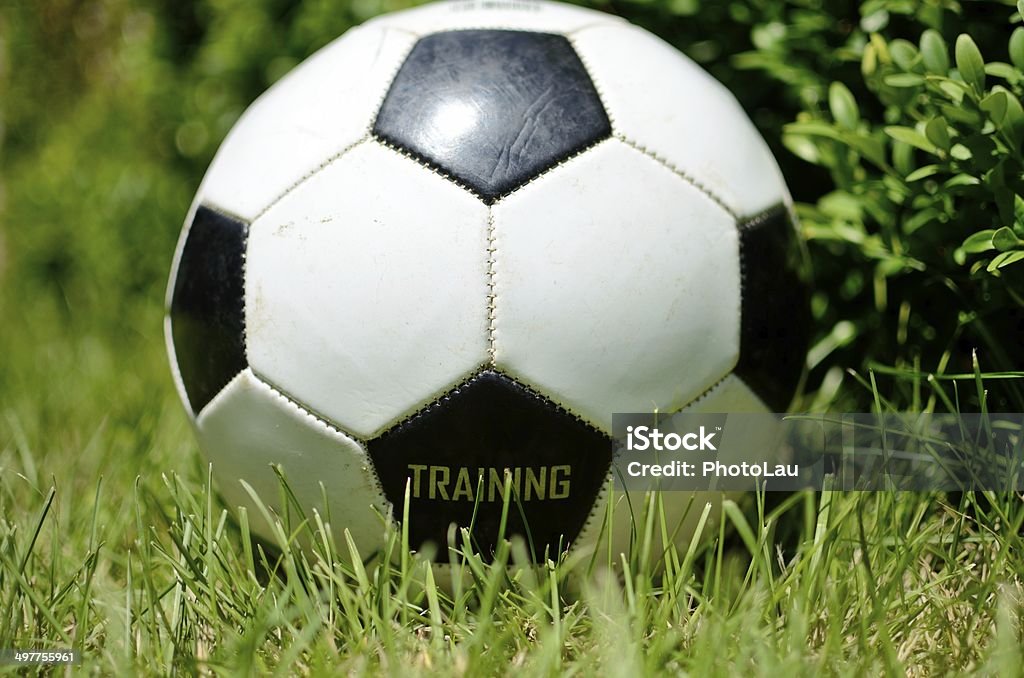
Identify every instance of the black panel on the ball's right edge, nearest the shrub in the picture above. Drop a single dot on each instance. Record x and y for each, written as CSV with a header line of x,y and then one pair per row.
x,y
777,323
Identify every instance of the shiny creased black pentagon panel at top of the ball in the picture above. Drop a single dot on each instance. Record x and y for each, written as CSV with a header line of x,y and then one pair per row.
x,y
493,109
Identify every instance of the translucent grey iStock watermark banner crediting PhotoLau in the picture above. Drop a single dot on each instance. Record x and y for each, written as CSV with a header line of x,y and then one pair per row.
x,y
847,451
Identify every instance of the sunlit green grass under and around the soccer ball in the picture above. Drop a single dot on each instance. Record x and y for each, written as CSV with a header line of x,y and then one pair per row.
x,y
112,543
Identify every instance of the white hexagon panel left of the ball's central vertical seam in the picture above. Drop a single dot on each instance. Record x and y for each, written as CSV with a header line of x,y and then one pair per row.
x,y
366,289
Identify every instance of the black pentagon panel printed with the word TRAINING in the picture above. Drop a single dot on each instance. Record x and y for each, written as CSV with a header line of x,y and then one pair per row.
x,y
454,456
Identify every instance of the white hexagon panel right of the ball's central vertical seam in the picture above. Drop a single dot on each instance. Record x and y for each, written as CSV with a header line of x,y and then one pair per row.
x,y
617,285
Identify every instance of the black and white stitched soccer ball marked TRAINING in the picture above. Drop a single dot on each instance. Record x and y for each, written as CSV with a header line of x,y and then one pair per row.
x,y
432,263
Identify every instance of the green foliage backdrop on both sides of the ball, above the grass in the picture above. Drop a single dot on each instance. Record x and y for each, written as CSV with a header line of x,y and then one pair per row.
x,y
112,110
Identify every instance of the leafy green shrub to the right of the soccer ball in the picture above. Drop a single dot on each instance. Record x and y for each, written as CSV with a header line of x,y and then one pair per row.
x,y
929,201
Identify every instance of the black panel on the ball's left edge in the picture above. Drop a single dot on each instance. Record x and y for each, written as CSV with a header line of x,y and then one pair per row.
x,y
208,306
